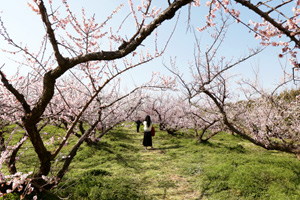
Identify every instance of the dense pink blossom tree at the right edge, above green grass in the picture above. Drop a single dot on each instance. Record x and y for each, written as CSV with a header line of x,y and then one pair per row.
x,y
269,119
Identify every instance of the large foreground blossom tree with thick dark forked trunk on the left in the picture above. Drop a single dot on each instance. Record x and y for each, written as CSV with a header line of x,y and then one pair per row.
x,y
62,52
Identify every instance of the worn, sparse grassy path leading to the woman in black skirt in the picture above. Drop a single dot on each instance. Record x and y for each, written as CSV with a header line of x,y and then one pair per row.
x,y
162,178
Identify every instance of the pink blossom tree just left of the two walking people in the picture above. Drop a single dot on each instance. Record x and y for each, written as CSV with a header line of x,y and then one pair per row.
x,y
109,110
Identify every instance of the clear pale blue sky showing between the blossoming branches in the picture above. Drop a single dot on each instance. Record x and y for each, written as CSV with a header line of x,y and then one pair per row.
x,y
26,26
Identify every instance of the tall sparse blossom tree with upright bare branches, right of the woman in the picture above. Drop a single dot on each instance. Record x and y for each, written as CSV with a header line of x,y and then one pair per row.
x,y
207,92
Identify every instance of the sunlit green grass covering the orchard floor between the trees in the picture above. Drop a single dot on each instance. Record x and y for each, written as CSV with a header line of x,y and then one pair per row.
x,y
226,167
